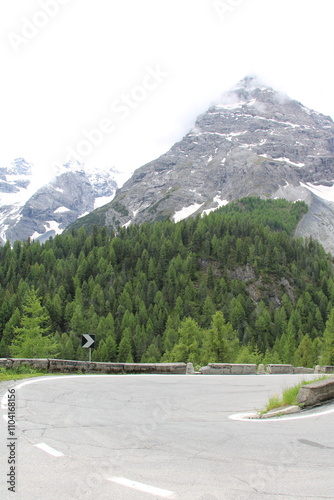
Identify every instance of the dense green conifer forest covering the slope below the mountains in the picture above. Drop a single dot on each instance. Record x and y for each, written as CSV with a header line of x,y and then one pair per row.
x,y
232,286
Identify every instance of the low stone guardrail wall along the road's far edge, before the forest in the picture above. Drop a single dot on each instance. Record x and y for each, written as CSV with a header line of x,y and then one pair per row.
x,y
69,366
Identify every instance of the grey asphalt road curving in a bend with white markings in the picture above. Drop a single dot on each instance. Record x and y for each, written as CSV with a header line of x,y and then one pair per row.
x,y
140,437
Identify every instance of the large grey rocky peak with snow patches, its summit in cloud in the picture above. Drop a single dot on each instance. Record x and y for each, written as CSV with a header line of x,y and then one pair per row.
x,y
255,141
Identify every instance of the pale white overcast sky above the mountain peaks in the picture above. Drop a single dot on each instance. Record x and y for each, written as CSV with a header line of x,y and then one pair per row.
x,y
116,83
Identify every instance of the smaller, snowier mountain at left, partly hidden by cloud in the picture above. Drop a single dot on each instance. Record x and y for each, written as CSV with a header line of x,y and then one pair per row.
x,y
30,209
